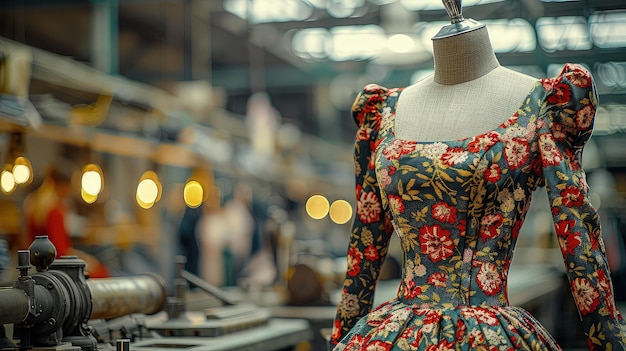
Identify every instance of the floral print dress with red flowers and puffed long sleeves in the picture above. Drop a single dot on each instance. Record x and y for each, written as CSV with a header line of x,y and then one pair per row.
x,y
457,207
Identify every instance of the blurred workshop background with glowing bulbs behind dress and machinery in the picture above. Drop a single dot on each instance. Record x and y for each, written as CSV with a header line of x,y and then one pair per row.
x,y
220,130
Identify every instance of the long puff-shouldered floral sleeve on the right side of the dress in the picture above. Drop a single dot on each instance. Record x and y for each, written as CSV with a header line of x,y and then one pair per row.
x,y
567,118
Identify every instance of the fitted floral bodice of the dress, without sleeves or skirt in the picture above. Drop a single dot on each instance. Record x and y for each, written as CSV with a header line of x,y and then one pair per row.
x,y
455,211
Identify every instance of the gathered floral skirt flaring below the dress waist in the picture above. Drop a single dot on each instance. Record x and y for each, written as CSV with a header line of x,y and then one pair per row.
x,y
395,325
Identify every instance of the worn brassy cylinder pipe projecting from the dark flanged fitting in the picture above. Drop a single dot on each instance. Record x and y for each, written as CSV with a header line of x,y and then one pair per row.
x,y
116,297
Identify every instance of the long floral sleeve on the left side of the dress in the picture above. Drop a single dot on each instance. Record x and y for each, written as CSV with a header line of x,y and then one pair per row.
x,y
371,228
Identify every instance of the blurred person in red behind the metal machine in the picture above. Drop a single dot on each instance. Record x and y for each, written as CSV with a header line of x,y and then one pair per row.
x,y
46,211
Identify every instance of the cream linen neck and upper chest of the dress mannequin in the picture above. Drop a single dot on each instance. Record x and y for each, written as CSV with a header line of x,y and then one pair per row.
x,y
469,93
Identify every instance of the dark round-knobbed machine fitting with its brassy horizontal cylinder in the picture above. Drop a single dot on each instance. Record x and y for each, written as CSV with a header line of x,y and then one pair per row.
x,y
51,308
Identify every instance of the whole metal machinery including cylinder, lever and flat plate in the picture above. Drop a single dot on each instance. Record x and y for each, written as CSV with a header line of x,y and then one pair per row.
x,y
58,308
